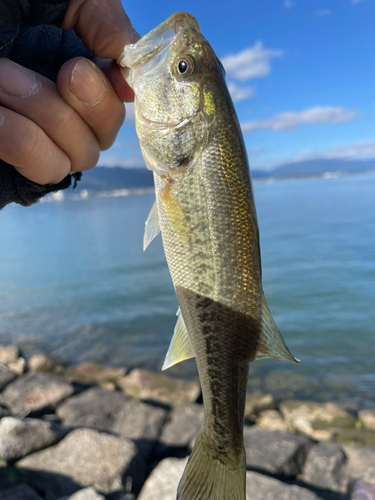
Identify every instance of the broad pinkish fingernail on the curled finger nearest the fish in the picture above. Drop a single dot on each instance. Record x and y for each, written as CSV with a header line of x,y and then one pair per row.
x,y
87,84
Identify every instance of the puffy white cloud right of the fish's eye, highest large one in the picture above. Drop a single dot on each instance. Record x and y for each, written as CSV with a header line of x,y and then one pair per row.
x,y
253,62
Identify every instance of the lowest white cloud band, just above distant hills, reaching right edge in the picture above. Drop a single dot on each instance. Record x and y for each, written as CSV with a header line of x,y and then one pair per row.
x,y
357,151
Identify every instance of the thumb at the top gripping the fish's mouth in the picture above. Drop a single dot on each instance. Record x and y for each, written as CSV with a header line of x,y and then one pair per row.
x,y
102,25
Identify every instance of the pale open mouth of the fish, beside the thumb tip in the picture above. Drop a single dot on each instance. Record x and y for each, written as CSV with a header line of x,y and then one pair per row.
x,y
135,55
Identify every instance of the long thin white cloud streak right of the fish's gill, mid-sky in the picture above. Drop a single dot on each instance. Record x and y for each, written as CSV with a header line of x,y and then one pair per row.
x,y
291,120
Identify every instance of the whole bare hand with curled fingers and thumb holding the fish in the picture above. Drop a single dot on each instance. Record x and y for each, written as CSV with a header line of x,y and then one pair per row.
x,y
48,130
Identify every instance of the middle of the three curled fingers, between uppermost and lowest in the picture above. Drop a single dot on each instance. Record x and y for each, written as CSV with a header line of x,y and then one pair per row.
x,y
38,99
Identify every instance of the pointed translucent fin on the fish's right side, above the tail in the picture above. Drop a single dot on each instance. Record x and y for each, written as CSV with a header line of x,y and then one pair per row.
x,y
271,344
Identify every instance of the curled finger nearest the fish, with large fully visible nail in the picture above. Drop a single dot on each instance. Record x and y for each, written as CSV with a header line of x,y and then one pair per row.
x,y
80,82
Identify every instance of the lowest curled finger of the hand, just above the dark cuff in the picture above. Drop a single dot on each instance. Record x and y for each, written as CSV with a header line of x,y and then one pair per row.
x,y
29,149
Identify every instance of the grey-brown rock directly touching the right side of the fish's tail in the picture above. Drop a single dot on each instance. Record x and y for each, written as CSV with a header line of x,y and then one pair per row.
x,y
275,452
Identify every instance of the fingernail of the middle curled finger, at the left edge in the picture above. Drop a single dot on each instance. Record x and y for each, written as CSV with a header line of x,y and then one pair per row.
x,y
17,81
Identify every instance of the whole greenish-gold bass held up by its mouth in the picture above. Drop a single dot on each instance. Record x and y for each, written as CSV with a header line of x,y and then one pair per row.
x,y
191,139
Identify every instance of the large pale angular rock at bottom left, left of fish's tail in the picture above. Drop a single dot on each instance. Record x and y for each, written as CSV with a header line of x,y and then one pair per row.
x,y
85,457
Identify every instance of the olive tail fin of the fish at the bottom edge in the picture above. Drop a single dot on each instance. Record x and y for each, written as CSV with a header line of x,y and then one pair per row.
x,y
208,476
